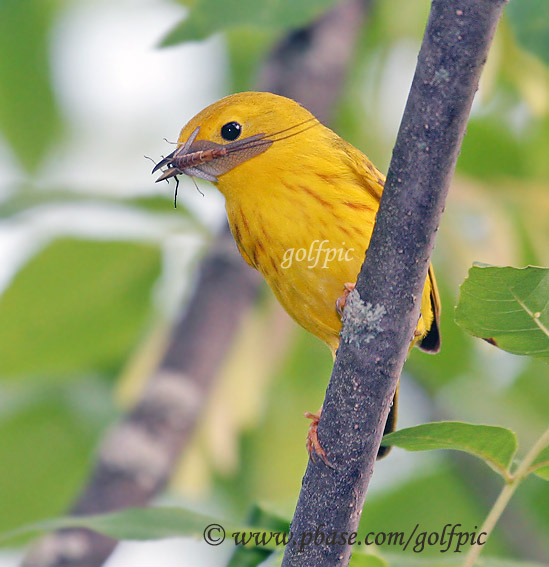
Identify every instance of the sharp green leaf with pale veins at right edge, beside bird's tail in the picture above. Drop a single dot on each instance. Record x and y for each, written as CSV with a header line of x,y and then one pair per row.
x,y
509,307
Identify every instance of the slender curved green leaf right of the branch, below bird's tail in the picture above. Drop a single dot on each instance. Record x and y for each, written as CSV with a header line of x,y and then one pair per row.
x,y
495,445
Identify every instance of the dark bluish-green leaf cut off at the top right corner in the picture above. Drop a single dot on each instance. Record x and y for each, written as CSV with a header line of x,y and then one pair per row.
x,y
529,20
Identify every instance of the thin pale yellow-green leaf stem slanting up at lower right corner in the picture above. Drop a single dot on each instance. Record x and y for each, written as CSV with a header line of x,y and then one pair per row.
x,y
505,495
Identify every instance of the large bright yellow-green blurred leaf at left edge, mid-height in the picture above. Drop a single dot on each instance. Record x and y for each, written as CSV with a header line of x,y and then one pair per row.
x,y
77,306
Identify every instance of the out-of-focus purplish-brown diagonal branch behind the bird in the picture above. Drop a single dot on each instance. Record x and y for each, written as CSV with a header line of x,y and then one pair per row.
x,y
138,455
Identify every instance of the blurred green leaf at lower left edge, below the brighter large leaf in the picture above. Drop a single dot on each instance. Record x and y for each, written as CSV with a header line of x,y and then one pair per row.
x,y
47,438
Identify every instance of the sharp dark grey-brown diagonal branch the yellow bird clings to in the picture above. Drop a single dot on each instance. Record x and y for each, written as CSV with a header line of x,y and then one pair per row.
x,y
382,313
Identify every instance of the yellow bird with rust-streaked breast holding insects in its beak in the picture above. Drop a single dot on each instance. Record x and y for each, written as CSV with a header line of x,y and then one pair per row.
x,y
301,204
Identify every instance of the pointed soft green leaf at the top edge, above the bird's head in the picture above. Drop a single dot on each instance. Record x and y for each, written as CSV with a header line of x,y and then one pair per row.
x,y
210,16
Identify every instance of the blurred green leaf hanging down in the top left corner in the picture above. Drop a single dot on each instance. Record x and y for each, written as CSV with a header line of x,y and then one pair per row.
x,y
29,117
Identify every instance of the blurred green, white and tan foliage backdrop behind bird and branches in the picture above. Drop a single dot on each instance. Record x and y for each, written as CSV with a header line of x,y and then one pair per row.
x,y
94,265
